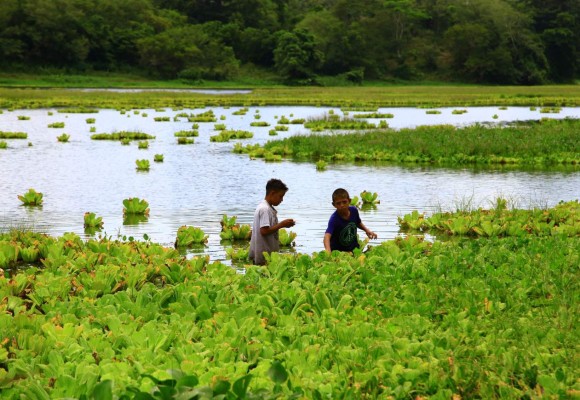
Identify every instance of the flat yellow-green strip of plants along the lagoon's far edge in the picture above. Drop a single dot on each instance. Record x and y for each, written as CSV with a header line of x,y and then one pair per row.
x,y
365,96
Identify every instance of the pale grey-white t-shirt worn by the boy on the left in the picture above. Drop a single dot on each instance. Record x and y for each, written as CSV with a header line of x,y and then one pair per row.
x,y
265,215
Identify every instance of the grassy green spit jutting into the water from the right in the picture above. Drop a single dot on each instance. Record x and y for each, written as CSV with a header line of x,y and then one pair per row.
x,y
549,142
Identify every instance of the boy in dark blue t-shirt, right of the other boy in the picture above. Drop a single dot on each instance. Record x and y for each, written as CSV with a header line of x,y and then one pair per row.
x,y
341,233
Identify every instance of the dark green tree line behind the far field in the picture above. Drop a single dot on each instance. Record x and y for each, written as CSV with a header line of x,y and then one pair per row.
x,y
481,41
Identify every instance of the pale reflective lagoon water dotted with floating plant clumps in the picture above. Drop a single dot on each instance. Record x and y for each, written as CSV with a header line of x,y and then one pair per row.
x,y
197,184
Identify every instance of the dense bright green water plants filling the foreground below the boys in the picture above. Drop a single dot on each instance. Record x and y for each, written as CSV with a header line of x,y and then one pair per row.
x,y
485,318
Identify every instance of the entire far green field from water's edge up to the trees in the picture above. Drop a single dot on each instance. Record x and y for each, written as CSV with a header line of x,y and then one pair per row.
x,y
21,91
